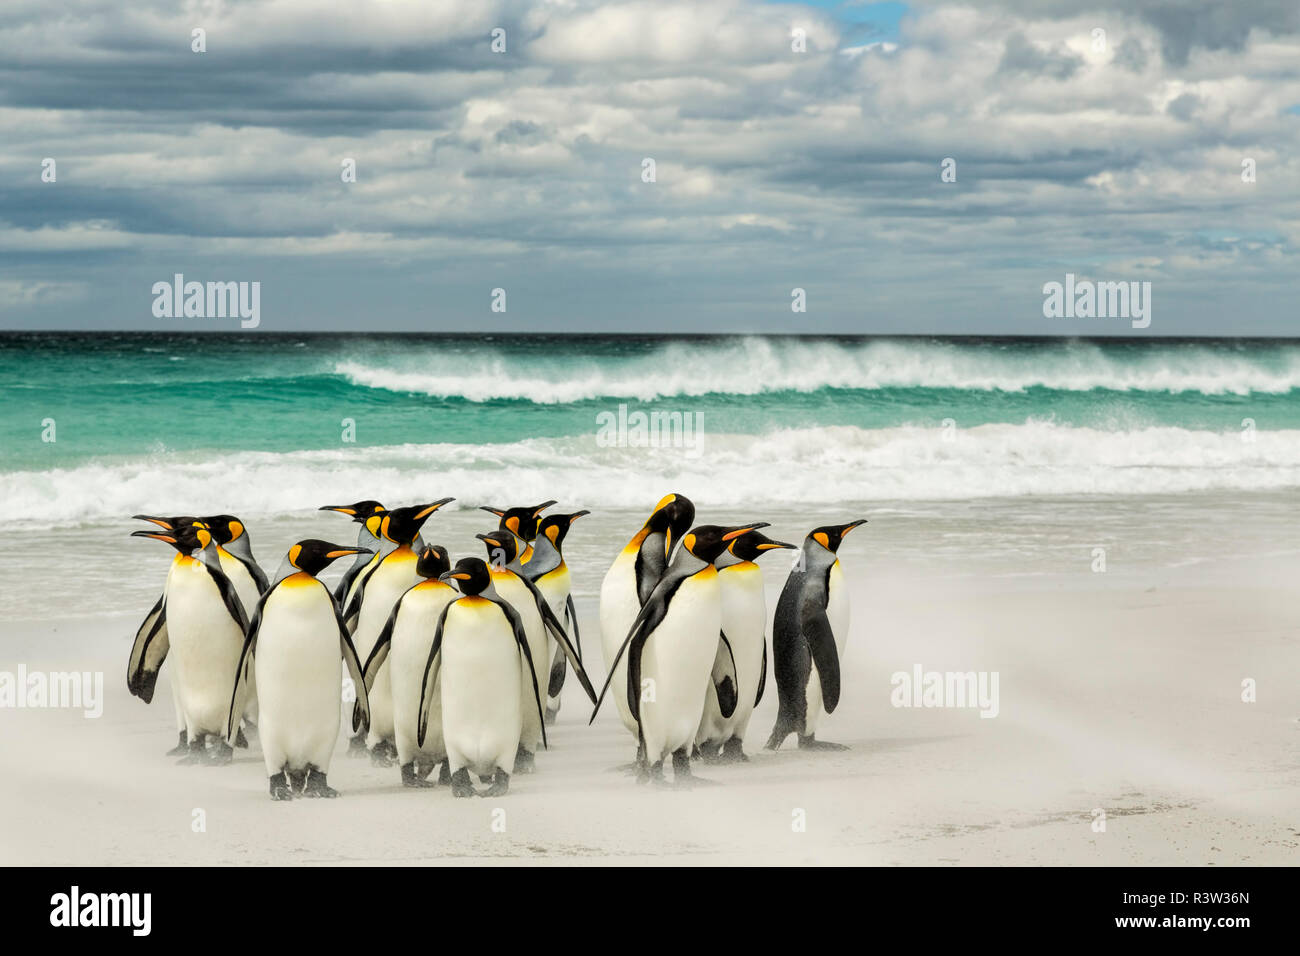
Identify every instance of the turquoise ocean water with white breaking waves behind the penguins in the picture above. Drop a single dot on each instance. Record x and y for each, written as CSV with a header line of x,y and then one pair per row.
x,y
145,421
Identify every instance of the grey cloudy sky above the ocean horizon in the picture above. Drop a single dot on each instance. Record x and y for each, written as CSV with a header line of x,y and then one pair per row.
x,y
774,168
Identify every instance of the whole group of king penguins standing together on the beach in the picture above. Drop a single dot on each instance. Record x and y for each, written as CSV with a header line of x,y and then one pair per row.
x,y
461,668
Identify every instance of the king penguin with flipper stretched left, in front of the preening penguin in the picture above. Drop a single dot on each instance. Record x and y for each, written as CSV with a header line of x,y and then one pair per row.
x,y
671,648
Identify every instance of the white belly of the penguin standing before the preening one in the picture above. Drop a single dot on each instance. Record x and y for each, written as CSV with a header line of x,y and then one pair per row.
x,y
678,660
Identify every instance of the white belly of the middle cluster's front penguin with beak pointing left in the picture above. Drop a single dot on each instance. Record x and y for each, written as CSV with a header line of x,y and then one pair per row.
x,y
480,674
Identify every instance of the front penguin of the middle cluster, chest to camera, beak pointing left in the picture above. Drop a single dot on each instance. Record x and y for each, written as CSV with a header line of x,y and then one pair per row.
x,y
478,651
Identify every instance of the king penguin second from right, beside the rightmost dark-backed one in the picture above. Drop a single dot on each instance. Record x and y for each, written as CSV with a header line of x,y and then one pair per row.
x,y
742,648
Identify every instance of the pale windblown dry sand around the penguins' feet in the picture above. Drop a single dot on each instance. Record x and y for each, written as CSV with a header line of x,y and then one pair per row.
x,y
1117,693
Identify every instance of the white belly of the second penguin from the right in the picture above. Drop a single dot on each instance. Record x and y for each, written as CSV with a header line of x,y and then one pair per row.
x,y
744,621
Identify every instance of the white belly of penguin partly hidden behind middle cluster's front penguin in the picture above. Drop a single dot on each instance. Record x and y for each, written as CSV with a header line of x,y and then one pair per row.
x,y
413,639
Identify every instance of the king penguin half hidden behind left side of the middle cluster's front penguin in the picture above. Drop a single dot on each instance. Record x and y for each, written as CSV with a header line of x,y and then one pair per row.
x,y
405,644
